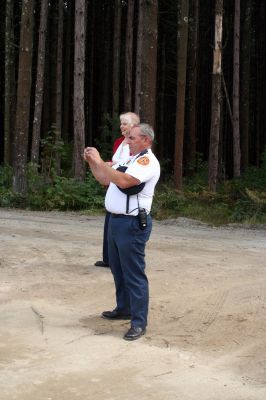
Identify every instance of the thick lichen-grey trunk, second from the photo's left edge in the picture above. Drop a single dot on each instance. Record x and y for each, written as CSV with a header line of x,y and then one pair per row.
x,y
23,97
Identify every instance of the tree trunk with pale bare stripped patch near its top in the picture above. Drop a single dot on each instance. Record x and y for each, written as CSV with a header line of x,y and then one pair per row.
x,y
216,97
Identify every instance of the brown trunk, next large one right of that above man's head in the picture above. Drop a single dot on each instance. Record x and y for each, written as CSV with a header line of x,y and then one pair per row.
x,y
182,40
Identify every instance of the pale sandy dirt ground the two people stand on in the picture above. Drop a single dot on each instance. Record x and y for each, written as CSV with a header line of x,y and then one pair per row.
x,y
206,338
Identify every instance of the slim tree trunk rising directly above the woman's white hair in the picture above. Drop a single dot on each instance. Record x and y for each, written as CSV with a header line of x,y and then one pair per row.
x,y
129,56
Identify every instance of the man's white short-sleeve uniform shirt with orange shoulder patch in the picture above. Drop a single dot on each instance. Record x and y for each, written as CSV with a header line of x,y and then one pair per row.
x,y
145,168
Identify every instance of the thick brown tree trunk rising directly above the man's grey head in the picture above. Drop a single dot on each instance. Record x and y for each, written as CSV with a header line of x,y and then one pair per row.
x,y
145,95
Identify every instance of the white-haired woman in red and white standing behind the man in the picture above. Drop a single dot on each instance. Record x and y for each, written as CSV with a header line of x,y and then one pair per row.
x,y
120,154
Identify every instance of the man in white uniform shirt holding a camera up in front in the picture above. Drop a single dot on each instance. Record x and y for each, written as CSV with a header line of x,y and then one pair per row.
x,y
129,199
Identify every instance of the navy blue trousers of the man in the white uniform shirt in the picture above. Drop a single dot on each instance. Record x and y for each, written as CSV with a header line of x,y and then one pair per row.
x,y
126,246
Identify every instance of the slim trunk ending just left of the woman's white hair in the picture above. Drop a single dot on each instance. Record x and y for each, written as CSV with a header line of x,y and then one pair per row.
x,y
116,57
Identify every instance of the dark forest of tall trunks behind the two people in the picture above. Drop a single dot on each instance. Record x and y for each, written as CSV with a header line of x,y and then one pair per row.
x,y
195,70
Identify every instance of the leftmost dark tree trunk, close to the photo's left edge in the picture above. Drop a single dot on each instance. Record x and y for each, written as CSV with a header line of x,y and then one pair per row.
x,y
9,82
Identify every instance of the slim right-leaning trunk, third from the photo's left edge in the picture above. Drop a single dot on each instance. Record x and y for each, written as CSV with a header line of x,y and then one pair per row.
x,y
37,120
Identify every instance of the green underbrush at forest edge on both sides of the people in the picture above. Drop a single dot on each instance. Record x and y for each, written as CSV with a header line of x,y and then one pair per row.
x,y
236,201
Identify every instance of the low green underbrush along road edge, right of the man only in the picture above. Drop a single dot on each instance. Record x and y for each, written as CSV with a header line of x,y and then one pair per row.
x,y
249,207
